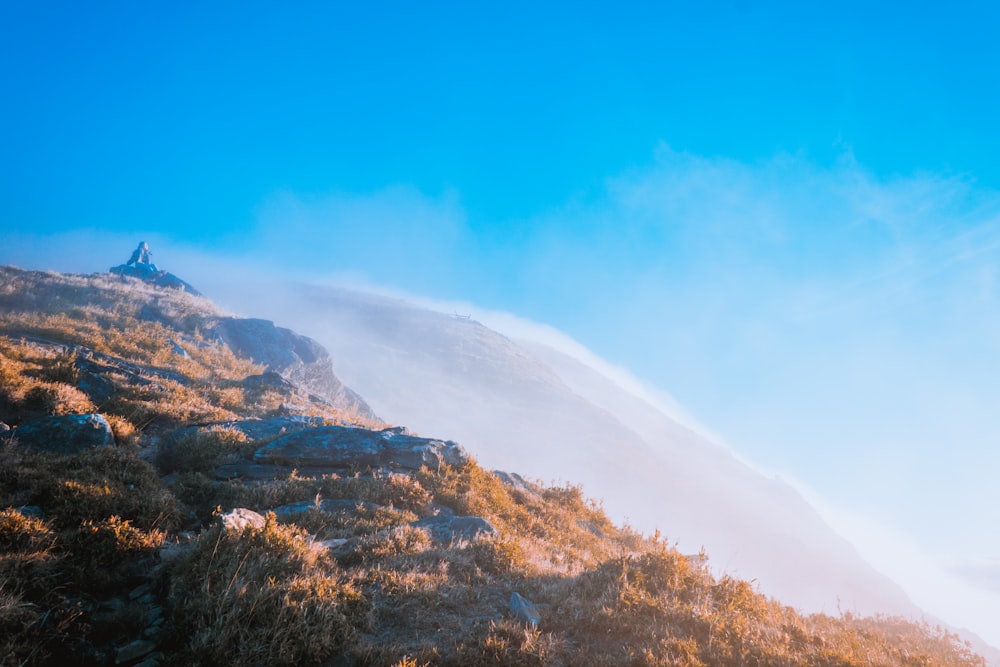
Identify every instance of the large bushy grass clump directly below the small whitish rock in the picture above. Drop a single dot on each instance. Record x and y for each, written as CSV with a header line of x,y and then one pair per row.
x,y
261,597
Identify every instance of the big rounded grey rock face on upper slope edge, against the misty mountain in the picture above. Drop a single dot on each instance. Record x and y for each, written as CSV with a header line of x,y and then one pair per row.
x,y
299,359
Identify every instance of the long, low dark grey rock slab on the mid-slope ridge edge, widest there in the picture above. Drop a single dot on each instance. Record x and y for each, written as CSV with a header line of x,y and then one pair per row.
x,y
341,447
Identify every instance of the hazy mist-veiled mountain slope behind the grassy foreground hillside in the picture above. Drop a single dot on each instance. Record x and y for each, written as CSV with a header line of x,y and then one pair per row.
x,y
544,414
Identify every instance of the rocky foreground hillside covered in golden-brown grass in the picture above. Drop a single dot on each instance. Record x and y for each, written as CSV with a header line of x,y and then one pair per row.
x,y
172,493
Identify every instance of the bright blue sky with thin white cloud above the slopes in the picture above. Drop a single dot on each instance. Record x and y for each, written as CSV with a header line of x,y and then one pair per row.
x,y
784,214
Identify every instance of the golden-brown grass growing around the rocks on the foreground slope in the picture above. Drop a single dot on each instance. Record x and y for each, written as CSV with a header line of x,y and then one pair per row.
x,y
391,595
